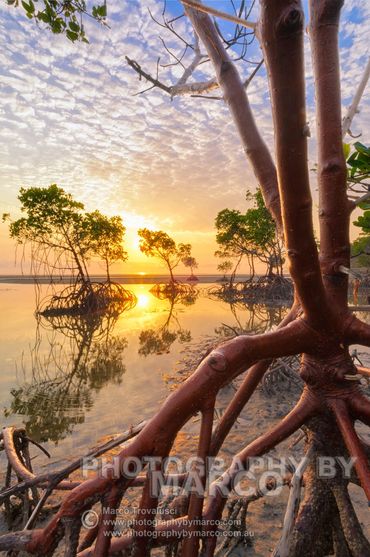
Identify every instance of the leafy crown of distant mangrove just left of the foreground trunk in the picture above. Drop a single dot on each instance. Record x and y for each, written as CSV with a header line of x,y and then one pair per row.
x,y
251,234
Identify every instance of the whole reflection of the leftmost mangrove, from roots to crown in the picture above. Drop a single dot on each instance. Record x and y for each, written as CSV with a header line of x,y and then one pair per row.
x,y
82,357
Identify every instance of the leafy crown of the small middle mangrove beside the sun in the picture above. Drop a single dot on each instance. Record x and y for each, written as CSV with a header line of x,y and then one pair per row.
x,y
156,243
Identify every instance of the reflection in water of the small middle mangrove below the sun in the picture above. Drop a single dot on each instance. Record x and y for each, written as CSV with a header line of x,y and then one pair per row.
x,y
159,341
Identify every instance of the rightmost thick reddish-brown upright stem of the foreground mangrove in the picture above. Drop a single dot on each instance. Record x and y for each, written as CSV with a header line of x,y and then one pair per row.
x,y
334,209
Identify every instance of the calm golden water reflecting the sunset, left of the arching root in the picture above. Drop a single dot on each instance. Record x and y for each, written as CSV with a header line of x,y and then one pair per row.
x,y
73,383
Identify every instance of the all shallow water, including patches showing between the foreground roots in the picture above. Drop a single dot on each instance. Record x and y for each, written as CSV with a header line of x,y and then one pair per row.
x,y
75,385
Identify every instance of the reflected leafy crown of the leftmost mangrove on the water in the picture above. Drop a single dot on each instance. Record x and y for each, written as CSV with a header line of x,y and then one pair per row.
x,y
84,369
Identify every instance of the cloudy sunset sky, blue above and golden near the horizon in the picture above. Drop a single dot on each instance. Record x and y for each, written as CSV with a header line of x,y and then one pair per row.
x,y
71,114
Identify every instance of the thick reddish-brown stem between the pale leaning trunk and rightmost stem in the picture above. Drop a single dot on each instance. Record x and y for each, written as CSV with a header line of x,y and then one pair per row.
x,y
281,31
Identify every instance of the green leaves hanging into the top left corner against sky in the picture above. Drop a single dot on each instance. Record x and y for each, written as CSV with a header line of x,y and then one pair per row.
x,y
62,16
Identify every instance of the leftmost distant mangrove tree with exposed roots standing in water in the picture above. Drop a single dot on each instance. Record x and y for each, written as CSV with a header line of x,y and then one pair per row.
x,y
62,238
